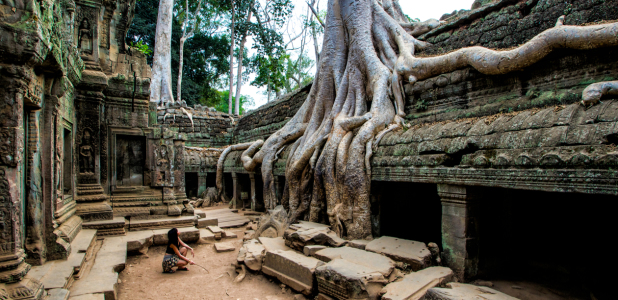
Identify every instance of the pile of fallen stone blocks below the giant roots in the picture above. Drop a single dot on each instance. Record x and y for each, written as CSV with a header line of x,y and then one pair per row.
x,y
312,260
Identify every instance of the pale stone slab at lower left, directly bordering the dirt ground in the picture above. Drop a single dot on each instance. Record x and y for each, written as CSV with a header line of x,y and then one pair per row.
x,y
103,277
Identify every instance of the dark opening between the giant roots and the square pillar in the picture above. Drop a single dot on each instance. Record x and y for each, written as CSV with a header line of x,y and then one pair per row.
x,y
409,211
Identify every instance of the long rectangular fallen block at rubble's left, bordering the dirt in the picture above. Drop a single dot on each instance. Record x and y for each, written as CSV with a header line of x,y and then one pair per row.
x,y
292,268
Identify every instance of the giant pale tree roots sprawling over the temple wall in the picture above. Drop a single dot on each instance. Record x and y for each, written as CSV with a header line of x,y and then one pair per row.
x,y
357,97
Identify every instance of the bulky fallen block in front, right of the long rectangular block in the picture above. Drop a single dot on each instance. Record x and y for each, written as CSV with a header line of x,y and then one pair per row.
x,y
342,279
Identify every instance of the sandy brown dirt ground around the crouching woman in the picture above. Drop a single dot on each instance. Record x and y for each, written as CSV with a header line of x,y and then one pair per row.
x,y
143,279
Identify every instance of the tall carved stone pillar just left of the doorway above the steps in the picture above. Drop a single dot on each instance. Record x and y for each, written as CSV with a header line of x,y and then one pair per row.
x,y
91,198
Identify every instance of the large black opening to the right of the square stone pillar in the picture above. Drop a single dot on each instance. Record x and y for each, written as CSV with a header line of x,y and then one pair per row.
x,y
553,240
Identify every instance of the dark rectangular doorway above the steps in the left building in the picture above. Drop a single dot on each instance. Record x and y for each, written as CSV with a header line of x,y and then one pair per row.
x,y
130,160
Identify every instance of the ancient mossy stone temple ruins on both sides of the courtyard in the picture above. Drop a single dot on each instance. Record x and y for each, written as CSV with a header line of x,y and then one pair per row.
x,y
486,174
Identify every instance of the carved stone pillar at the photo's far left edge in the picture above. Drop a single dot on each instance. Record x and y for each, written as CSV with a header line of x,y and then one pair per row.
x,y
14,281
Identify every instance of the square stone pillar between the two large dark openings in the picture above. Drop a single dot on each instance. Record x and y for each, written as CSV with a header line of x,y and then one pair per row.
x,y
460,230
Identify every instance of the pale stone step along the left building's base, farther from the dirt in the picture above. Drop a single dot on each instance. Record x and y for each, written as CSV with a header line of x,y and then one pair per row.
x,y
59,274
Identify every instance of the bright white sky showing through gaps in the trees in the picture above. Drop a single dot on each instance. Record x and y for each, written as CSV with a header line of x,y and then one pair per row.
x,y
421,9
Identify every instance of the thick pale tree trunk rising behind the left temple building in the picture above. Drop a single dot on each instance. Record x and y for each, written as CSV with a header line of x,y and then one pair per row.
x,y
161,82
